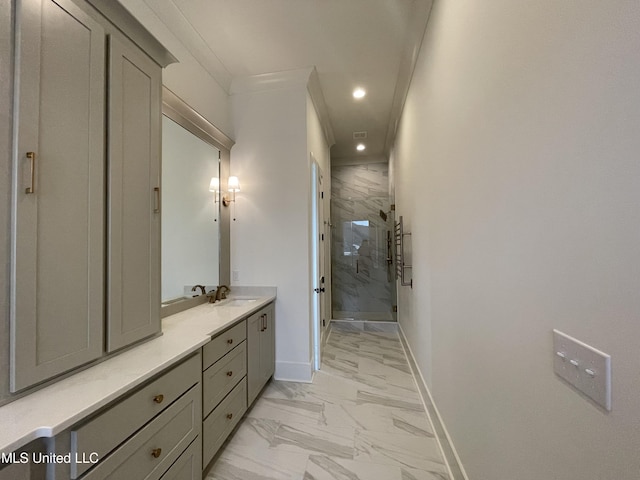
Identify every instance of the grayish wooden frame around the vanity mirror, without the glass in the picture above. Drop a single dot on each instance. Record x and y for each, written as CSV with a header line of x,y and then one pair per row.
x,y
180,112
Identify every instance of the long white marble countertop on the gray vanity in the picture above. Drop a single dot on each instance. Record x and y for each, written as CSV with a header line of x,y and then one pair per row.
x,y
53,409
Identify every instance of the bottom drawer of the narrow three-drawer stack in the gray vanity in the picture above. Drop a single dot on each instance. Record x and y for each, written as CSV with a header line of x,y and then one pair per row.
x,y
219,424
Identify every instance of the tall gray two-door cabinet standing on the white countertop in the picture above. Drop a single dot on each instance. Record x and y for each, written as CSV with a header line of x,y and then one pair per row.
x,y
86,221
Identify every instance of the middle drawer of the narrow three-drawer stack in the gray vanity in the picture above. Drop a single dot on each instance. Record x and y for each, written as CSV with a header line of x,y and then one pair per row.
x,y
220,378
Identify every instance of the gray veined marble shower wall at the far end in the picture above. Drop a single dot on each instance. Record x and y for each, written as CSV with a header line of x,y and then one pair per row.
x,y
362,279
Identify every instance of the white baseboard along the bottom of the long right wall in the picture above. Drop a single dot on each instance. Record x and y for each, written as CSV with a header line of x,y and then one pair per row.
x,y
432,410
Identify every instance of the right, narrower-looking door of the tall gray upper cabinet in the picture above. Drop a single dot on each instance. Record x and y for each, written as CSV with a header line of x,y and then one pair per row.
x,y
134,196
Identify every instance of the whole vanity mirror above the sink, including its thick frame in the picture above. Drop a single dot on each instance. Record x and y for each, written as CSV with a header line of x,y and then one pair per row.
x,y
195,230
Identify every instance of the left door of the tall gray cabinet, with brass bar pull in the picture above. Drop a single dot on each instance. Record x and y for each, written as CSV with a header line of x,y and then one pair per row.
x,y
57,271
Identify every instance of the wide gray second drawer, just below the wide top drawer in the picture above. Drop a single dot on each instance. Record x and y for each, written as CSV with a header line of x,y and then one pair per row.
x,y
151,451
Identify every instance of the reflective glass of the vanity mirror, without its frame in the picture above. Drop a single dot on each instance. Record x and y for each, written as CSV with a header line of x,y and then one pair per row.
x,y
190,216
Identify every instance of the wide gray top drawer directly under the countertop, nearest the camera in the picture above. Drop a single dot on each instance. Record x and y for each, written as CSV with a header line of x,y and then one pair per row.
x,y
106,431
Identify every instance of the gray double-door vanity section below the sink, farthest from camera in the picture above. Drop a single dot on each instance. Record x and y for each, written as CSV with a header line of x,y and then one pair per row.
x,y
261,350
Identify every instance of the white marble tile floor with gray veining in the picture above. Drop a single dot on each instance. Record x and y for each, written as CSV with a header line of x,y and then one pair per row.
x,y
360,419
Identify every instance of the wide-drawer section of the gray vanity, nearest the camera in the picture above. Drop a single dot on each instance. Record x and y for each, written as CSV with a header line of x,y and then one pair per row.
x,y
149,433
